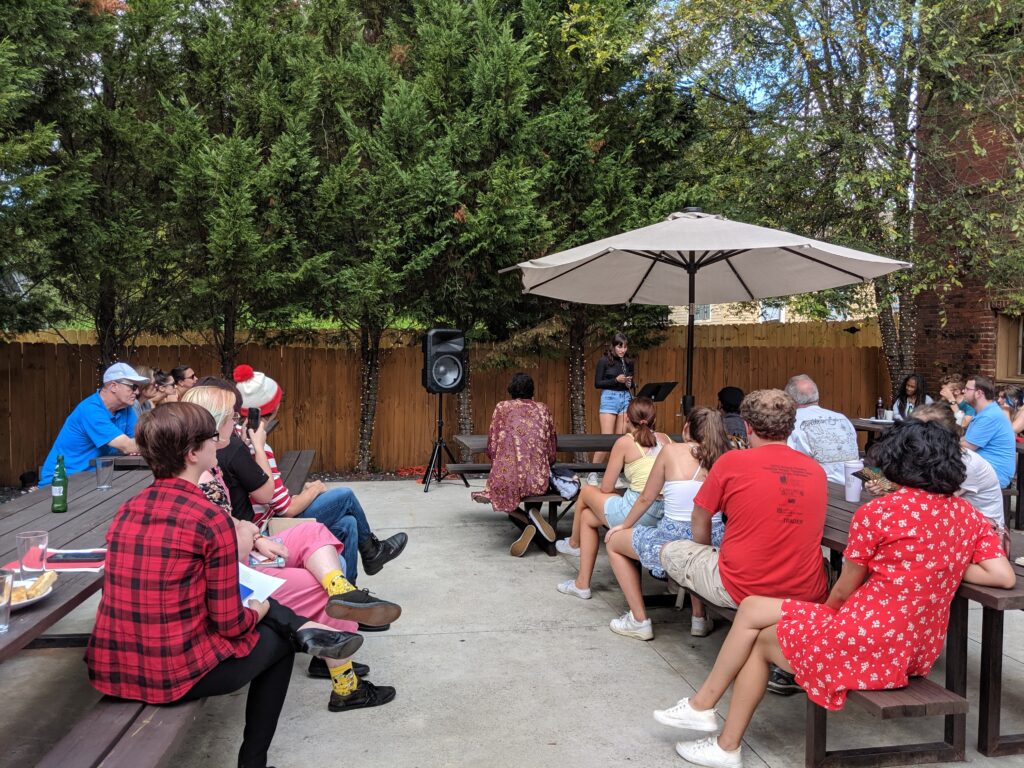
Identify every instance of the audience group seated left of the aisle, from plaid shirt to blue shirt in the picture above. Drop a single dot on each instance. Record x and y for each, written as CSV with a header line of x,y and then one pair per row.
x,y
176,548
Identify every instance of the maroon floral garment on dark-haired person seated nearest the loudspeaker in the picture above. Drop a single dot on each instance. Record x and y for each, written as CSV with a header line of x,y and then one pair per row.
x,y
522,444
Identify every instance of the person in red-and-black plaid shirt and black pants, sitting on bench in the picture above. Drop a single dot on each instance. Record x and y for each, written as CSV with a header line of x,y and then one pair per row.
x,y
170,625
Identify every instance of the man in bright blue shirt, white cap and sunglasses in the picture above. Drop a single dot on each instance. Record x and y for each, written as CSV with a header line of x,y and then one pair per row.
x,y
103,424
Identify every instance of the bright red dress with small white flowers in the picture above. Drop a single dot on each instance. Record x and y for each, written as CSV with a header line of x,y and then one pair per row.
x,y
916,547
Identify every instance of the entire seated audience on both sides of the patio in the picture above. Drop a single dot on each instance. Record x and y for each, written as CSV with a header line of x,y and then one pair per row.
x,y
734,516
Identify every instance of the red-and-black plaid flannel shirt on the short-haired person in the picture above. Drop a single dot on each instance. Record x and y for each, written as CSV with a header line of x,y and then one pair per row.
x,y
172,610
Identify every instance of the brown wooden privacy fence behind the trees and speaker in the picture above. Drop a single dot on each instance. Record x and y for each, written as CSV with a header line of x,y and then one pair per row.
x,y
42,381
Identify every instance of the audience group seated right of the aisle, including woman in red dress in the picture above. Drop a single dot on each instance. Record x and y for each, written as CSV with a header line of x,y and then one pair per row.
x,y
738,520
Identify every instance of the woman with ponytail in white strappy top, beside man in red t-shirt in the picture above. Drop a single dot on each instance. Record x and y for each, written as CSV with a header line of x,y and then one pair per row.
x,y
678,474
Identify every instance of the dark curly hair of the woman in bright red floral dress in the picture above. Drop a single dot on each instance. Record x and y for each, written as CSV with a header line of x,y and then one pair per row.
x,y
922,455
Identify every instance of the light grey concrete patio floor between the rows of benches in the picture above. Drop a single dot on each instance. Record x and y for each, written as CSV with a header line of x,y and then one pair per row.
x,y
493,666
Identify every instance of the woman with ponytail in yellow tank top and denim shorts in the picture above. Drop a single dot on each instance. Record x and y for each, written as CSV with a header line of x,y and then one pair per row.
x,y
634,455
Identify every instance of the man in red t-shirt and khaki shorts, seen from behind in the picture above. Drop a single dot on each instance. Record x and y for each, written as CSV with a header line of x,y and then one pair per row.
x,y
775,500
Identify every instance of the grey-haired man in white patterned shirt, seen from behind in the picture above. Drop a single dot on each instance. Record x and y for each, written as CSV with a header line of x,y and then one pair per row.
x,y
827,437
